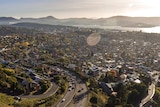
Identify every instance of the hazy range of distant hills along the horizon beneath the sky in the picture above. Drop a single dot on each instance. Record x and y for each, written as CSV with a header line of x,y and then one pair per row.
x,y
123,21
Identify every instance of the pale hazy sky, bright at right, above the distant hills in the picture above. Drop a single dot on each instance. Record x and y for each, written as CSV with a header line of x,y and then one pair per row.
x,y
79,8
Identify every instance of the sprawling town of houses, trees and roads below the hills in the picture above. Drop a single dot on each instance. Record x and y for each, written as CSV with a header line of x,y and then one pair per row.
x,y
65,66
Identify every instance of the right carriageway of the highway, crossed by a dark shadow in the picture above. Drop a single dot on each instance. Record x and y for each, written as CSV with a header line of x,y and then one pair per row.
x,y
80,99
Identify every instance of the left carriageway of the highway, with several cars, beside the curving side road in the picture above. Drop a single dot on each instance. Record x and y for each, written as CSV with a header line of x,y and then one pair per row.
x,y
68,97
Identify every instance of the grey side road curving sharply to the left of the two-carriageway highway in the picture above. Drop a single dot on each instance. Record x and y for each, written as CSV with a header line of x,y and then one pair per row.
x,y
52,90
